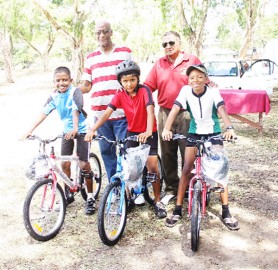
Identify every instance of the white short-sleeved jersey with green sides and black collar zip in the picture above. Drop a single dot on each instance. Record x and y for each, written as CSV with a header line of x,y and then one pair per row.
x,y
202,109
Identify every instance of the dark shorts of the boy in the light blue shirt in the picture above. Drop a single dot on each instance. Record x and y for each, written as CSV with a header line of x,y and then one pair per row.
x,y
82,149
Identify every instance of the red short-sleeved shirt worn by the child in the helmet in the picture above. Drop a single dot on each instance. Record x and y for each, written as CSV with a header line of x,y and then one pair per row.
x,y
135,108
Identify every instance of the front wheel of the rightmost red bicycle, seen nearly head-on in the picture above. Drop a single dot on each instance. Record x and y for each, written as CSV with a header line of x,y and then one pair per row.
x,y
196,217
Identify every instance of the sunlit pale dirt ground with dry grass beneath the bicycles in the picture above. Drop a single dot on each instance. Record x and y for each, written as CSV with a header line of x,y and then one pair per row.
x,y
147,243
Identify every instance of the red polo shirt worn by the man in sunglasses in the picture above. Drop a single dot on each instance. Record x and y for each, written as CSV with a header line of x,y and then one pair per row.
x,y
169,79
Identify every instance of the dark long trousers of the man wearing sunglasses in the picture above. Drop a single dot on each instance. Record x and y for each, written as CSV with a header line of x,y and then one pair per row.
x,y
169,149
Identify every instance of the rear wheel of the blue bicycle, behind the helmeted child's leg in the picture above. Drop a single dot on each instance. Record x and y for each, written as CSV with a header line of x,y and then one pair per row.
x,y
148,191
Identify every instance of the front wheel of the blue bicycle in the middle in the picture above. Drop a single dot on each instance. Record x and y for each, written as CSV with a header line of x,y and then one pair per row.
x,y
112,213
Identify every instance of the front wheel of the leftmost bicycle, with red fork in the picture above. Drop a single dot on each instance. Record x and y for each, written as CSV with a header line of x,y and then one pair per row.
x,y
44,210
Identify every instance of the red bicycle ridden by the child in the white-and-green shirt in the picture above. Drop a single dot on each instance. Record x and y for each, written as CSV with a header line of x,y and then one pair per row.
x,y
199,189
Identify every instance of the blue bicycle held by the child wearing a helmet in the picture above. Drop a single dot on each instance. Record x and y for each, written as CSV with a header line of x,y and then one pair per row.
x,y
112,211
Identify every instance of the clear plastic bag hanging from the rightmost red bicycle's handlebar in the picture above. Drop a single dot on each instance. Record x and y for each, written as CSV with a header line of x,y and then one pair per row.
x,y
215,166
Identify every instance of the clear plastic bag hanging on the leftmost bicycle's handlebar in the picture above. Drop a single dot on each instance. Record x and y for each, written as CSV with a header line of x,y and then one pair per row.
x,y
38,167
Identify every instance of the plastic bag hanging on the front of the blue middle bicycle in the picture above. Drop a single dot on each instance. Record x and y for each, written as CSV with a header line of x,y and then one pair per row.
x,y
134,162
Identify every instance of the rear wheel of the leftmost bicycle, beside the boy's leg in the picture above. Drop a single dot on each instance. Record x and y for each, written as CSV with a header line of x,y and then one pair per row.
x,y
97,178
